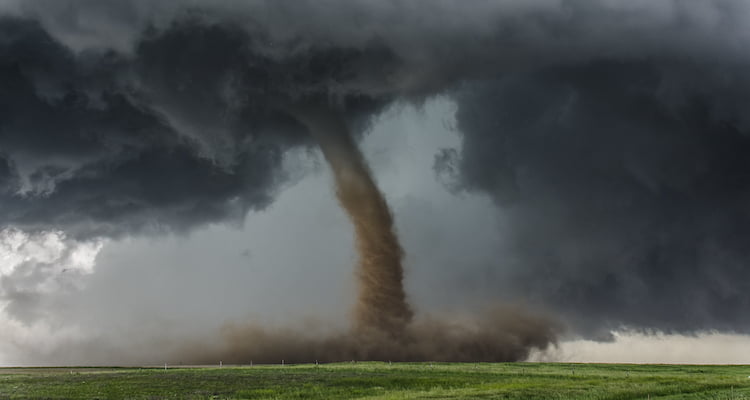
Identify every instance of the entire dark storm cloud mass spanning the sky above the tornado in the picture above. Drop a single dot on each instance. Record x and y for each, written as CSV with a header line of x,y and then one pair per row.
x,y
613,137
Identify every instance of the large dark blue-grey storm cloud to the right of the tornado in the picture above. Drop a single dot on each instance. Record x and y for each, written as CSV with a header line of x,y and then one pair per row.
x,y
627,186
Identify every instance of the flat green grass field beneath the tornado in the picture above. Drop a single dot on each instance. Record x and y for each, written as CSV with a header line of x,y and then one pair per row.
x,y
373,380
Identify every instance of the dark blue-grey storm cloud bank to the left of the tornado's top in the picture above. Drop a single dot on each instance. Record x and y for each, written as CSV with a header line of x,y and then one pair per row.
x,y
188,130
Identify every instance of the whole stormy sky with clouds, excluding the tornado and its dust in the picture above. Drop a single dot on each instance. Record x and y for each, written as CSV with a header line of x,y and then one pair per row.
x,y
586,161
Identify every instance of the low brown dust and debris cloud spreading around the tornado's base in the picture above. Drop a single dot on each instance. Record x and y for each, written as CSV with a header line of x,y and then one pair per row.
x,y
501,333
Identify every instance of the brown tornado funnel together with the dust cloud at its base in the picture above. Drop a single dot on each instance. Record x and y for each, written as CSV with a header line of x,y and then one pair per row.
x,y
384,327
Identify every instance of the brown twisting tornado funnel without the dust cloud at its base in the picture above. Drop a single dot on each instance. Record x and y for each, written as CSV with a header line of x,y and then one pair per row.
x,y
381,304
